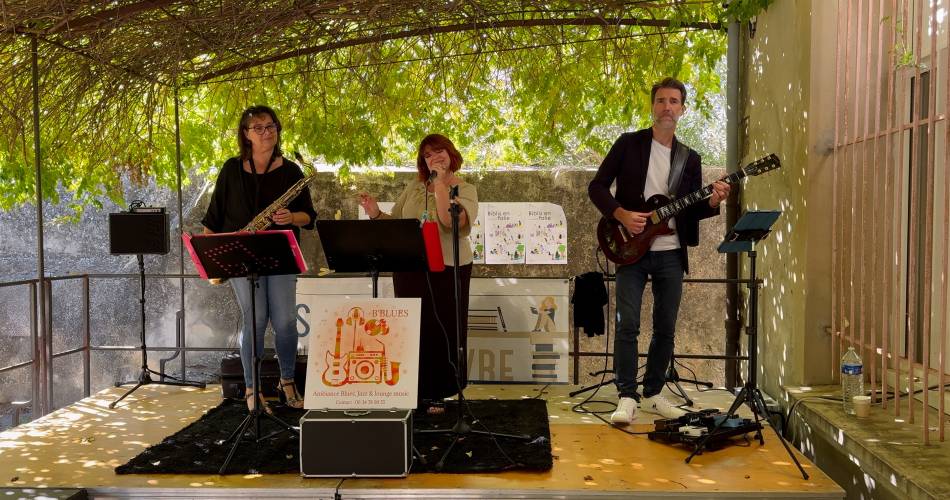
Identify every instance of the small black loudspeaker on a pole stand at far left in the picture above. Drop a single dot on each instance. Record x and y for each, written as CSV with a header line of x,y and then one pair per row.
x,y
141,231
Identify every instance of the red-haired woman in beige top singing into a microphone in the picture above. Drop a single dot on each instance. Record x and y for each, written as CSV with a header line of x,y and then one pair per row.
x,y
427,198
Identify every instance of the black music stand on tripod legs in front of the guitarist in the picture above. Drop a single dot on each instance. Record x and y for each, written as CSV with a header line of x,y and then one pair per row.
x,y
751,227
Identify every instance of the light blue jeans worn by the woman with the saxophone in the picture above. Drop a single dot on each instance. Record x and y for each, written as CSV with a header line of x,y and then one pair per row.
x,y
275,301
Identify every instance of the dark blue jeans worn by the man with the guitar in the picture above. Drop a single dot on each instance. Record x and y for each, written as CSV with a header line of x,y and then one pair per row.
x,y
666,271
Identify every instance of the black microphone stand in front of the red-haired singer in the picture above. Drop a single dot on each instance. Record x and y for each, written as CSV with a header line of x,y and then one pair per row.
x,y
461,429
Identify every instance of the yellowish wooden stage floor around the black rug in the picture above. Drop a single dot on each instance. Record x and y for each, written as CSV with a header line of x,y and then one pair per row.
x,y
80,445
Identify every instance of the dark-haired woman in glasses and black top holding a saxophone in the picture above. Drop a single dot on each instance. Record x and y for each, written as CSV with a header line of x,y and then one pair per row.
x,y
246,185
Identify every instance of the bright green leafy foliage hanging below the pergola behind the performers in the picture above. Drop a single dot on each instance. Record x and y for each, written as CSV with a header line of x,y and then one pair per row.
x,y
546,96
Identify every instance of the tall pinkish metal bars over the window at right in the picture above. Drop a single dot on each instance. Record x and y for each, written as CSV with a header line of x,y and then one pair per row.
x,y
891,56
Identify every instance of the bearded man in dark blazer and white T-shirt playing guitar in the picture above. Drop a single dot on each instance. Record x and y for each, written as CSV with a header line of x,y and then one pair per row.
x,y
644,163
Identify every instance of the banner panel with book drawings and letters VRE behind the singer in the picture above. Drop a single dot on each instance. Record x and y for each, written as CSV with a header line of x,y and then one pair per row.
x,y
518,330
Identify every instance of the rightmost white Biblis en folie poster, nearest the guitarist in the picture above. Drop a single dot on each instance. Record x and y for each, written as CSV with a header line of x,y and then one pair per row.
x,y
546,240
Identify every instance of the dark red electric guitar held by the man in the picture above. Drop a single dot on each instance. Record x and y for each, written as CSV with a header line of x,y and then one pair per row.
x,y
623,247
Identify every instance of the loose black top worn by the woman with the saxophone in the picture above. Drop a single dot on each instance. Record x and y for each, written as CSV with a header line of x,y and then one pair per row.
x,y
233,201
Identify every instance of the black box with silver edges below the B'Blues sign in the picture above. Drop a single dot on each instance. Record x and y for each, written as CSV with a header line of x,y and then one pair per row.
x,y
356,443
